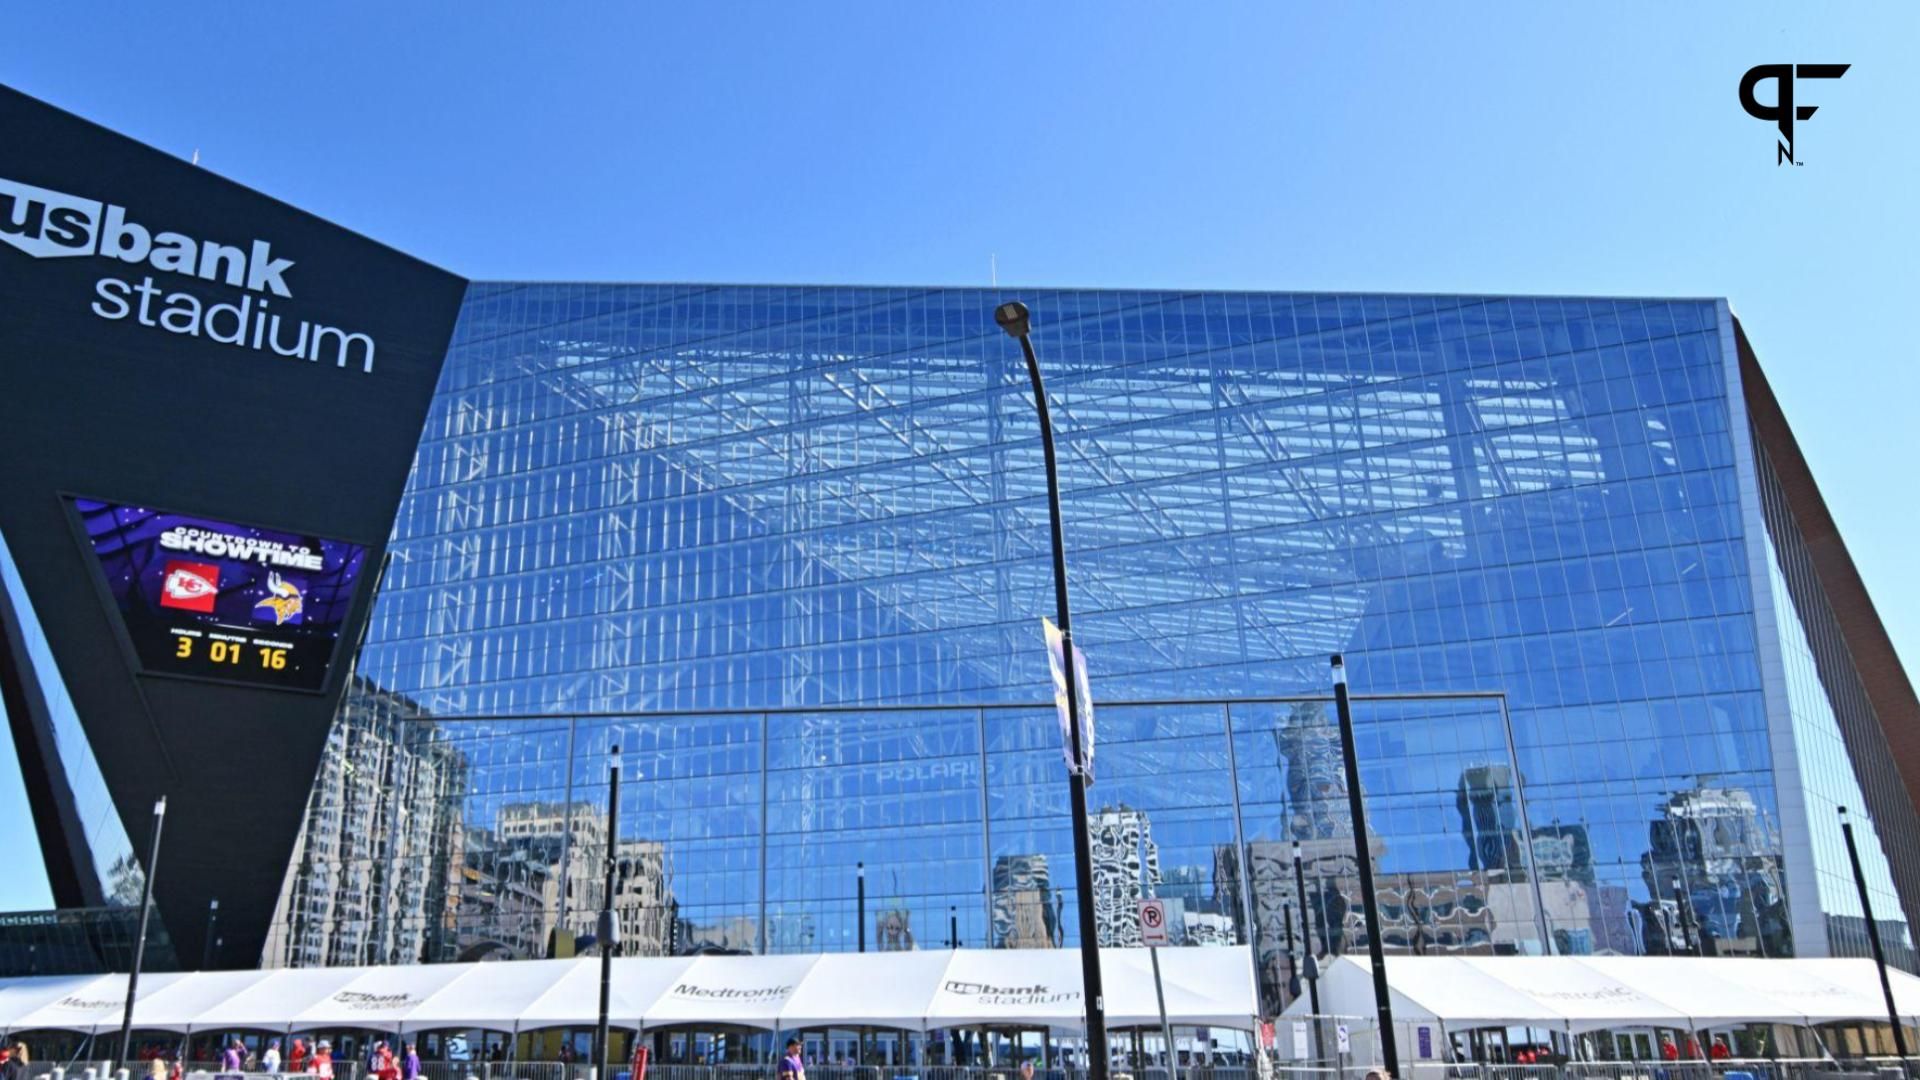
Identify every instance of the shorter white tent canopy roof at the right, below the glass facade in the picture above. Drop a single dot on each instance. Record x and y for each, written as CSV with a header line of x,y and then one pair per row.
x,y
1585,994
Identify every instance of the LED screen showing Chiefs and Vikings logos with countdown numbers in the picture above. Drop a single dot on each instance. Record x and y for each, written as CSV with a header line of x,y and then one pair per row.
x,y
208,599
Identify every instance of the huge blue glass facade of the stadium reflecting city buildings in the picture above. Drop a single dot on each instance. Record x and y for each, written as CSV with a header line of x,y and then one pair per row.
x,y
788,551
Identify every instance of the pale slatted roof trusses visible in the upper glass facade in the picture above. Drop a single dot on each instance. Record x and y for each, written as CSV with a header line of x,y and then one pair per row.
x,y
1228,493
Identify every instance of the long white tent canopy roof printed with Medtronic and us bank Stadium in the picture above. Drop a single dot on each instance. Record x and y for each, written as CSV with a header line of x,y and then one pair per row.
x,y
913,991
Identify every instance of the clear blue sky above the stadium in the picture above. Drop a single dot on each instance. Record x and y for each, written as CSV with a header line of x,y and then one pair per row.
x,y
1356,147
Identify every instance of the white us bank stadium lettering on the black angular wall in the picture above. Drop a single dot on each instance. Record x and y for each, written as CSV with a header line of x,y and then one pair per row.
x,y
59,226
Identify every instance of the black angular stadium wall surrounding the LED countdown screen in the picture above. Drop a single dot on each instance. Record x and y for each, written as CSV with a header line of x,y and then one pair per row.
x,y
176,341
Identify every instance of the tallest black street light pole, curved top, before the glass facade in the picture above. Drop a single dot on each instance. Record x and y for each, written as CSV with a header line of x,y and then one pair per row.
x,y
1017,322
